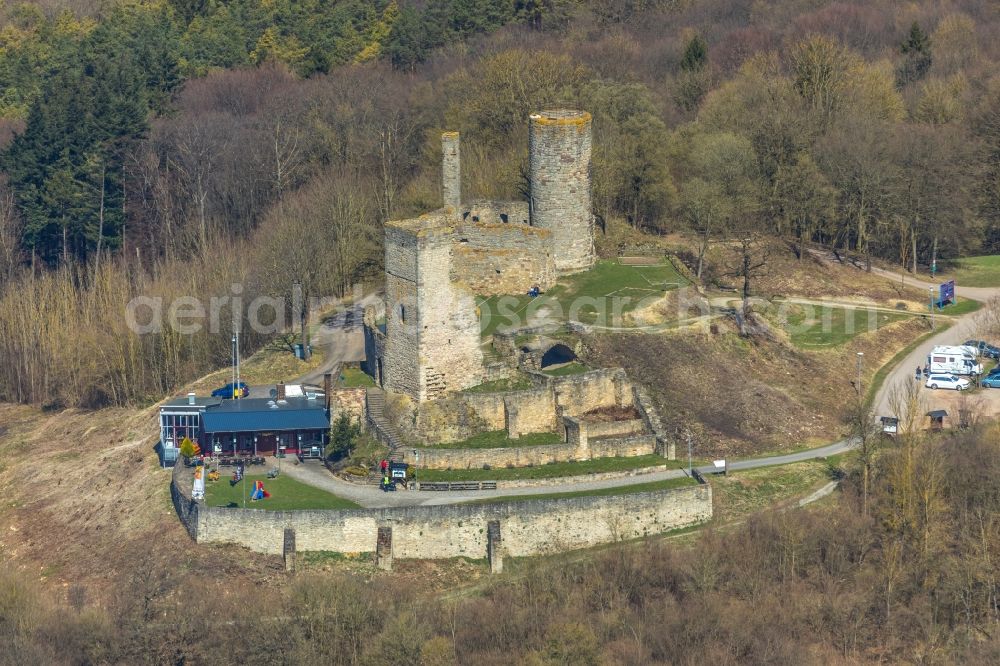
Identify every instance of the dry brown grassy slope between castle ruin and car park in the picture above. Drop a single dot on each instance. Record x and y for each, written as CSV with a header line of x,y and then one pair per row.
x,y
742,397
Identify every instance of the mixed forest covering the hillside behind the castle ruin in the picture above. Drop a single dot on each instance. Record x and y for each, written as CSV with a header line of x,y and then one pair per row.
x,y
178,148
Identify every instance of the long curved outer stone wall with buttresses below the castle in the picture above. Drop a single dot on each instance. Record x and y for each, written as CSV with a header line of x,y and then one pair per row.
x,y
529,528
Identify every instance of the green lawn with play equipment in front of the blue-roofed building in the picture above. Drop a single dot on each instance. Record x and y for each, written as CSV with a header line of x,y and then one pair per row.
x,y
286,494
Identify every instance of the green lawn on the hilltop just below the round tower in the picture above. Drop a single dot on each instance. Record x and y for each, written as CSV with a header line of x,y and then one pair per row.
x,y
596,296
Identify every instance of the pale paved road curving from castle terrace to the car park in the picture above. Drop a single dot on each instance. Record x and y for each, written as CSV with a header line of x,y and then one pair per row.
x,y
370,496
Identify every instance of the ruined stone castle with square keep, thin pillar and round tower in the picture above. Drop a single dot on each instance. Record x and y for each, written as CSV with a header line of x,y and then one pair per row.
x,y
437,264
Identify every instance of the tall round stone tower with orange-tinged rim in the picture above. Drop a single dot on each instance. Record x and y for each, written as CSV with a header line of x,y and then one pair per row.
x,y
559,154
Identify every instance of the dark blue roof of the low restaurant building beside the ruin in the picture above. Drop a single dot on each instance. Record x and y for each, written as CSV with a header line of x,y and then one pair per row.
x,y
262,414
